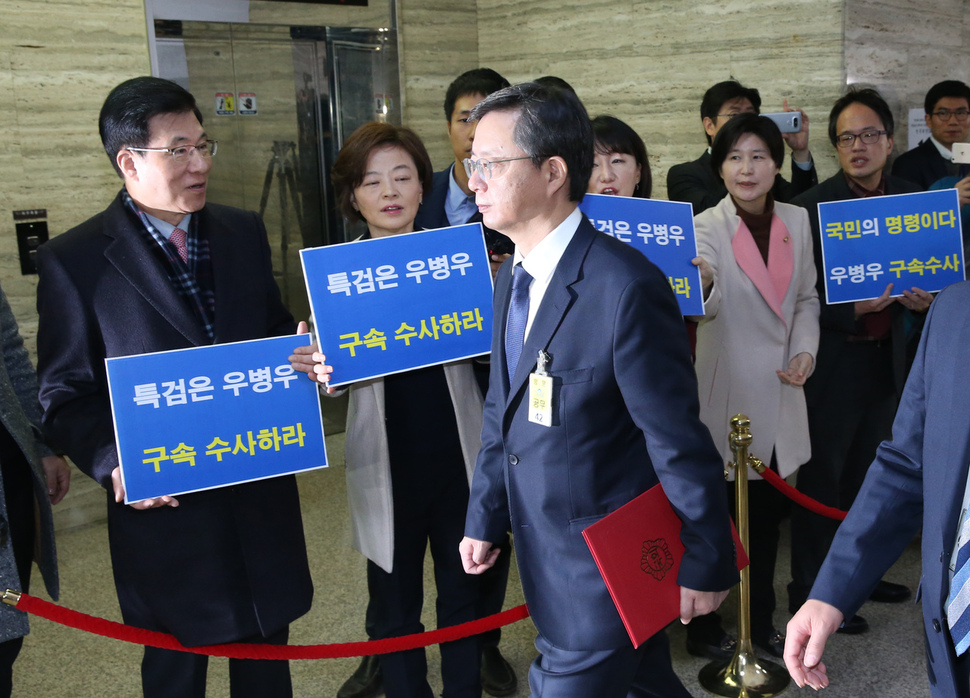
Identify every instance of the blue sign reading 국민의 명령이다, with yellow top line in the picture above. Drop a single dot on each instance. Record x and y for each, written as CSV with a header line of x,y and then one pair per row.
x,y
906,239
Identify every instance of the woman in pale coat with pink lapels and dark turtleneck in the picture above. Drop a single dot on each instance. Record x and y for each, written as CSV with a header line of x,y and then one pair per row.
x,y
757,340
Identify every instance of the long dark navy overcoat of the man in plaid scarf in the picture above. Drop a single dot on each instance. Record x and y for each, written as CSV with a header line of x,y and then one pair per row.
x,y
227,563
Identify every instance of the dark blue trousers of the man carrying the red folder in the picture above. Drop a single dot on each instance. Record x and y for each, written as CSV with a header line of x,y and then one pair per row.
x,y
645,672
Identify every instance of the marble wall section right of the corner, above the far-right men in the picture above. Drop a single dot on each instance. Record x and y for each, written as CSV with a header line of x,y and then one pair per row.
x,y
903,48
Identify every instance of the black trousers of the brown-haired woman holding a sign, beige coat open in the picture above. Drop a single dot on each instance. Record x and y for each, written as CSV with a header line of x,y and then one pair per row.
x,y
426,512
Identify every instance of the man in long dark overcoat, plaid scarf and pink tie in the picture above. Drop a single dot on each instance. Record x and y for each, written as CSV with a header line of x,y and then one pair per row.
x,y
159,269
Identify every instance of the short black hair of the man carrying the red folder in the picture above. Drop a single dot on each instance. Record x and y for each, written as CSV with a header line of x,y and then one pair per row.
x,y
552,122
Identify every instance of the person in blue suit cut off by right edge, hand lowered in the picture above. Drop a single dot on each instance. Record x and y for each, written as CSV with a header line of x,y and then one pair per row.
x,y
918,479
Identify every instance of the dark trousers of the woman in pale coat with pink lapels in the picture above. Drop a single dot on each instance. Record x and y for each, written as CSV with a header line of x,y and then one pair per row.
x,y
767,508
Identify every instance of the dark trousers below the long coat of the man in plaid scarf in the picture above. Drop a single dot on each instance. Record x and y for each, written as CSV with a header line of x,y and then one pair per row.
x,y
171,674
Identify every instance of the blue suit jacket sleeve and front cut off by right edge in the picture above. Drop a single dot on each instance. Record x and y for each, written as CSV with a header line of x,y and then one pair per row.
x,y
918,478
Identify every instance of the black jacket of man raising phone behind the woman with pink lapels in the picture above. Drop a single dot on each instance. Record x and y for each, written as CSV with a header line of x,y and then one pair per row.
x,y
696,183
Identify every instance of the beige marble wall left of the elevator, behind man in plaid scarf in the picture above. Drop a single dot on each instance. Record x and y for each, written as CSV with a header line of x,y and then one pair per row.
x,y
58,61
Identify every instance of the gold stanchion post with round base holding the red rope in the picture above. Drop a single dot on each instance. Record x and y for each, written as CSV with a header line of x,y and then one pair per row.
x,y
744,675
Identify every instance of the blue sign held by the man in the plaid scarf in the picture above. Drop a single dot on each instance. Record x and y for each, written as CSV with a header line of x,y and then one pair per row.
x,y
194,419
